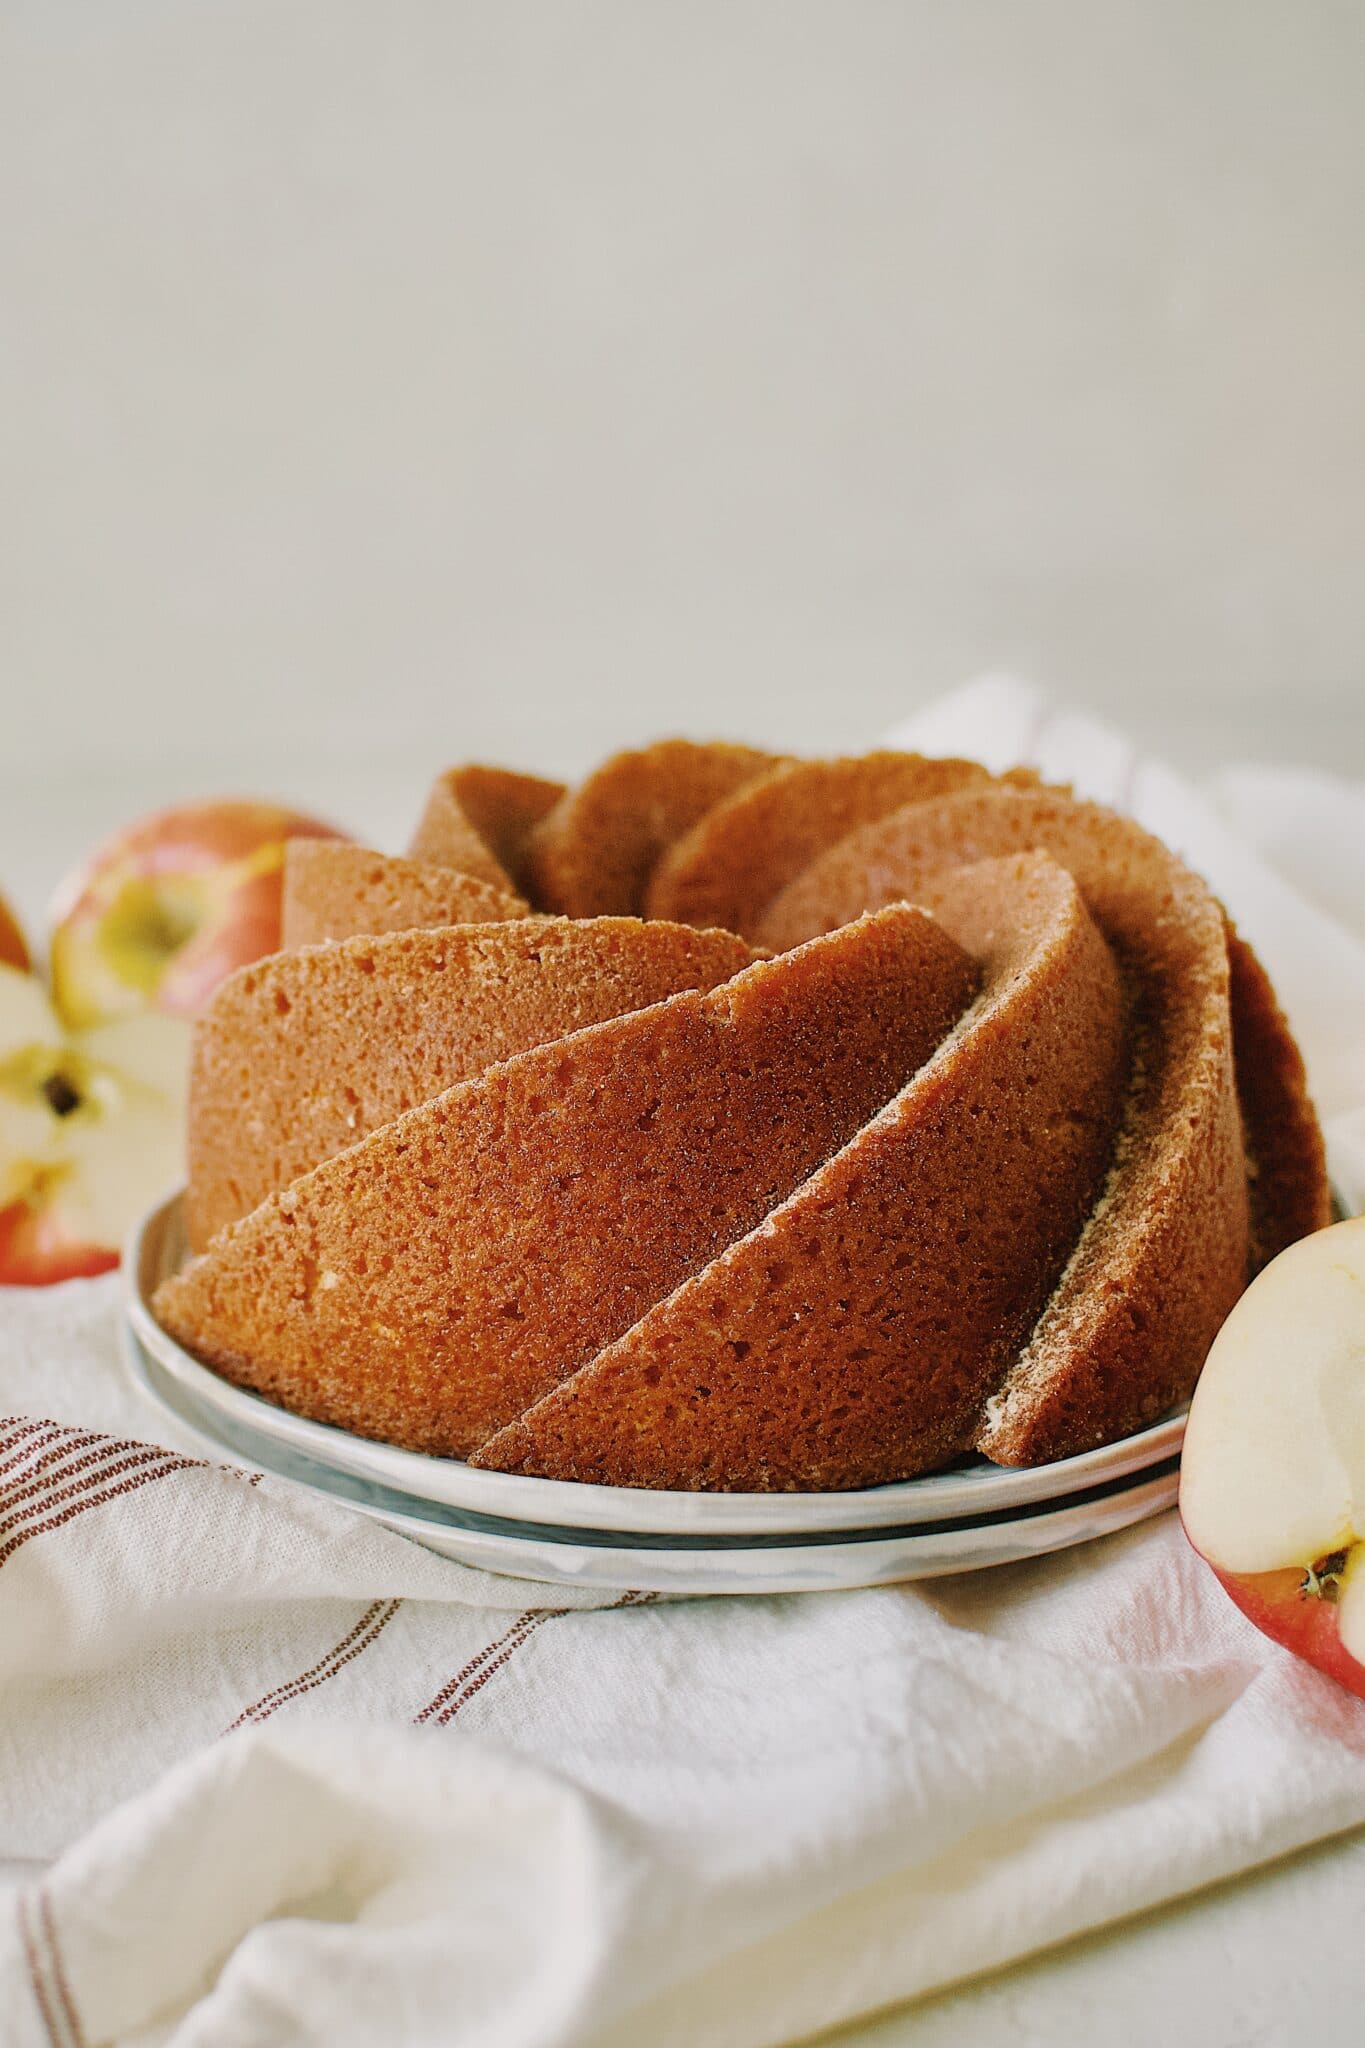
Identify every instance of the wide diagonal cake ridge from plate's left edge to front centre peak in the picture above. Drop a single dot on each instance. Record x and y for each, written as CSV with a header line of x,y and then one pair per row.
x,y
443,1275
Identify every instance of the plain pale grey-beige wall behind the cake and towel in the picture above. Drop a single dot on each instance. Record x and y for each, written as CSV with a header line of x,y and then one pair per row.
x,y
384,384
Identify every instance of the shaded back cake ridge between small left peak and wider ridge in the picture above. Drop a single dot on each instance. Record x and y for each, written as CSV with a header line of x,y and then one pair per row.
x,y
597,851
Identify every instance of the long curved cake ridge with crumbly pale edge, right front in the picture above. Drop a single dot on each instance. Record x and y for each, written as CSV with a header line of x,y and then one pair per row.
x,y
1168,1252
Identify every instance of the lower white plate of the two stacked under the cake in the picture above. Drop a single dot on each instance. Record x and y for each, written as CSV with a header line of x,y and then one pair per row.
x,y
662,1564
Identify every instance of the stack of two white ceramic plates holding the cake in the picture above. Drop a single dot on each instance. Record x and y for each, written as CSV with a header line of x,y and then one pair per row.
x,y
635,1539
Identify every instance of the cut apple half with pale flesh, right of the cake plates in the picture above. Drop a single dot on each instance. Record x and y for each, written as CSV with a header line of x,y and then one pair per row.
x,y
1274,1463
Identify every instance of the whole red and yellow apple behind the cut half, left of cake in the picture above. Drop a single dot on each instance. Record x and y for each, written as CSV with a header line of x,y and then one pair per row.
x,y
163,912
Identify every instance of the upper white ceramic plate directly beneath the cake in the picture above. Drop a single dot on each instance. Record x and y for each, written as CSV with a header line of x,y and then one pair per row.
x,y
965,1494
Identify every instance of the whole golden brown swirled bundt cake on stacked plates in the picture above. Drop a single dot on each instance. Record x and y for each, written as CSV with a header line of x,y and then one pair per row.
x,y
973,1154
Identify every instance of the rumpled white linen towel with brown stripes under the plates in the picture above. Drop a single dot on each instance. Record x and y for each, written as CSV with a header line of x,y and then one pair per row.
x,y
288,1779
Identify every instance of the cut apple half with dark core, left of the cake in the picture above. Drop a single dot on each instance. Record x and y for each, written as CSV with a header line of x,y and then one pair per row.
x,y
91,1134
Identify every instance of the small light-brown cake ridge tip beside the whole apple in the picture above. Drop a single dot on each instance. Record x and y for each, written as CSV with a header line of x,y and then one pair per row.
x,y
335,890
